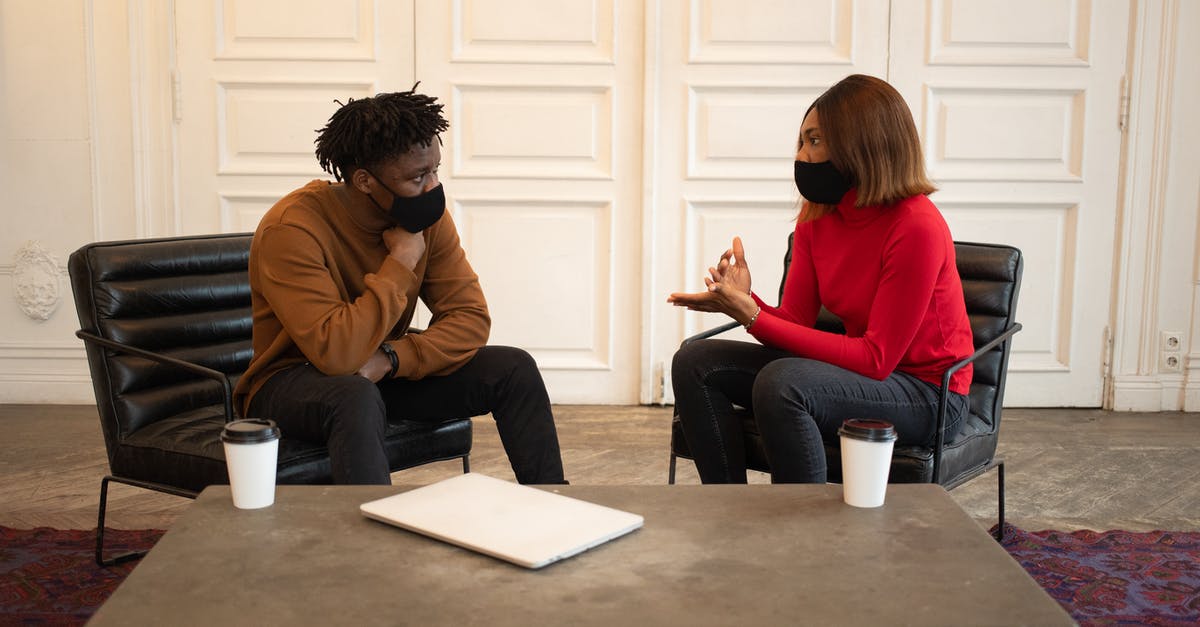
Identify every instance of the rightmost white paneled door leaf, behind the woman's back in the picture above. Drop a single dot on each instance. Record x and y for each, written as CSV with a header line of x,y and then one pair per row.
x,y
1018,104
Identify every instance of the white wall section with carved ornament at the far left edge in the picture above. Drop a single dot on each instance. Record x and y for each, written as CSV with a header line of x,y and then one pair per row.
x,y
47,210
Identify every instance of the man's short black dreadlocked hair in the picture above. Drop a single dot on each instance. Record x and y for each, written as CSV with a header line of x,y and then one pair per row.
x,y
367,133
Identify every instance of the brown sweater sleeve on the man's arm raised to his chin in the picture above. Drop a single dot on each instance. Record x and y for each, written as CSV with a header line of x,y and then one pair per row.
x,y
337,337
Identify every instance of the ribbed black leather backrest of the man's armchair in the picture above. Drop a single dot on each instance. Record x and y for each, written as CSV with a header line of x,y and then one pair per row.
x,y
183,297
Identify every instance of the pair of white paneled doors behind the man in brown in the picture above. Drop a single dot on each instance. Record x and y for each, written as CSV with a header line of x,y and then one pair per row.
x,y
541,164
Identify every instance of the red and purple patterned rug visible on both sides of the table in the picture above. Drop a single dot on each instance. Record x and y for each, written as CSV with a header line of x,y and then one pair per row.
x,y
49,577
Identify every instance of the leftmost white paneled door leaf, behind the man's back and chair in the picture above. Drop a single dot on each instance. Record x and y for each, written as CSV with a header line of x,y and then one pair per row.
x,y
256,79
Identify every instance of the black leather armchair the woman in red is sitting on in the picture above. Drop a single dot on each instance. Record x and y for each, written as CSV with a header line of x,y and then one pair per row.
x,y
992,280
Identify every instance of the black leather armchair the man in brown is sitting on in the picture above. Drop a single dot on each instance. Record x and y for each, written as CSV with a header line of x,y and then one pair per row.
x,y
167,330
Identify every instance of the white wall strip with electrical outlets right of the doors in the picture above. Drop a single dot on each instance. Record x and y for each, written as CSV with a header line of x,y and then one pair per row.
x,y
1157,261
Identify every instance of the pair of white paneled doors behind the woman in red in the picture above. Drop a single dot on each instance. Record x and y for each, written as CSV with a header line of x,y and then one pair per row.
x,y
1018,109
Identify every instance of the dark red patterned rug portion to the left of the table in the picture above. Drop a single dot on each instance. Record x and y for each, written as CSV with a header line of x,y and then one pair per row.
x,y
50,577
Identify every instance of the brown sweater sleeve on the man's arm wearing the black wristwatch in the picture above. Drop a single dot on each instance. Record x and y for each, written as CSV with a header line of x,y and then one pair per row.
x,y
461,323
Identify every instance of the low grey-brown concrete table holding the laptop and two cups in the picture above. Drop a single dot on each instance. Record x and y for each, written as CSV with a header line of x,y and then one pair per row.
x,y
707,556
